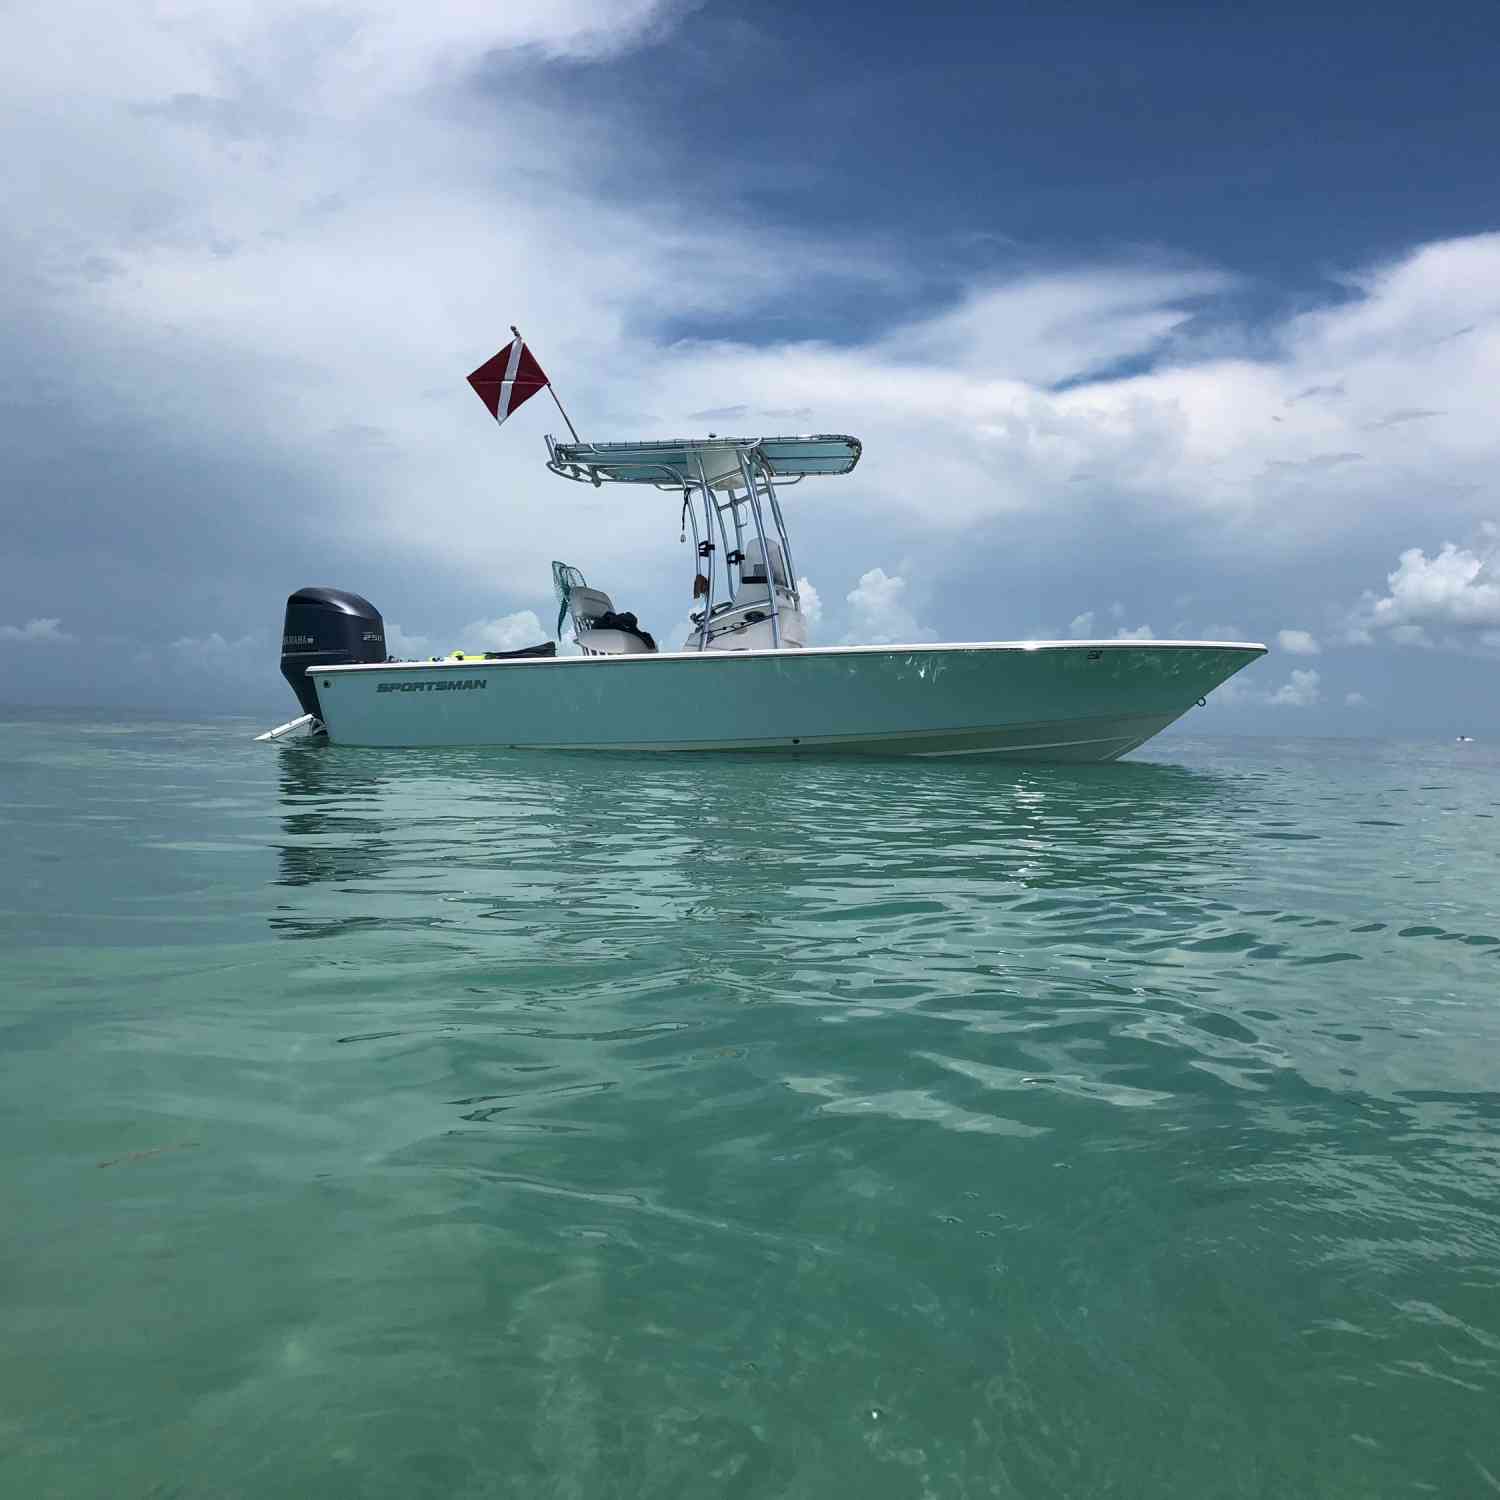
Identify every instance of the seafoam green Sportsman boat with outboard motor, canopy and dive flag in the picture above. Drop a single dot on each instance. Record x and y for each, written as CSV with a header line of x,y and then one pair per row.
x,y
748,677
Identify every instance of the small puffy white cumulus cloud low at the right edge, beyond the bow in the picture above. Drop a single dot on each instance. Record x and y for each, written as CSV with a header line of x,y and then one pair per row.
x,y
1451,599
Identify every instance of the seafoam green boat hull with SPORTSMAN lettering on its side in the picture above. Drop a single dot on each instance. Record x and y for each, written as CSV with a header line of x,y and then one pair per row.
x,y
1051,701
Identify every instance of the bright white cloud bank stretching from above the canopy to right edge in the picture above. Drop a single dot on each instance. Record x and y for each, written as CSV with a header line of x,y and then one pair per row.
x,y
1252,448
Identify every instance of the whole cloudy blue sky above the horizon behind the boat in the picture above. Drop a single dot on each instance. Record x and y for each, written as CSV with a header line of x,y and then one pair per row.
x,y
1160,322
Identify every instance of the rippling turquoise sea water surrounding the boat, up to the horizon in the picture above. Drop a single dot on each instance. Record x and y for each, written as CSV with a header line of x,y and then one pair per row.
x,y
472,1124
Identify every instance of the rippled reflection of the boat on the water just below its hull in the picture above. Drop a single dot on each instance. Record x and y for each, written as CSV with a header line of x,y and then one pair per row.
x,y
509,836
